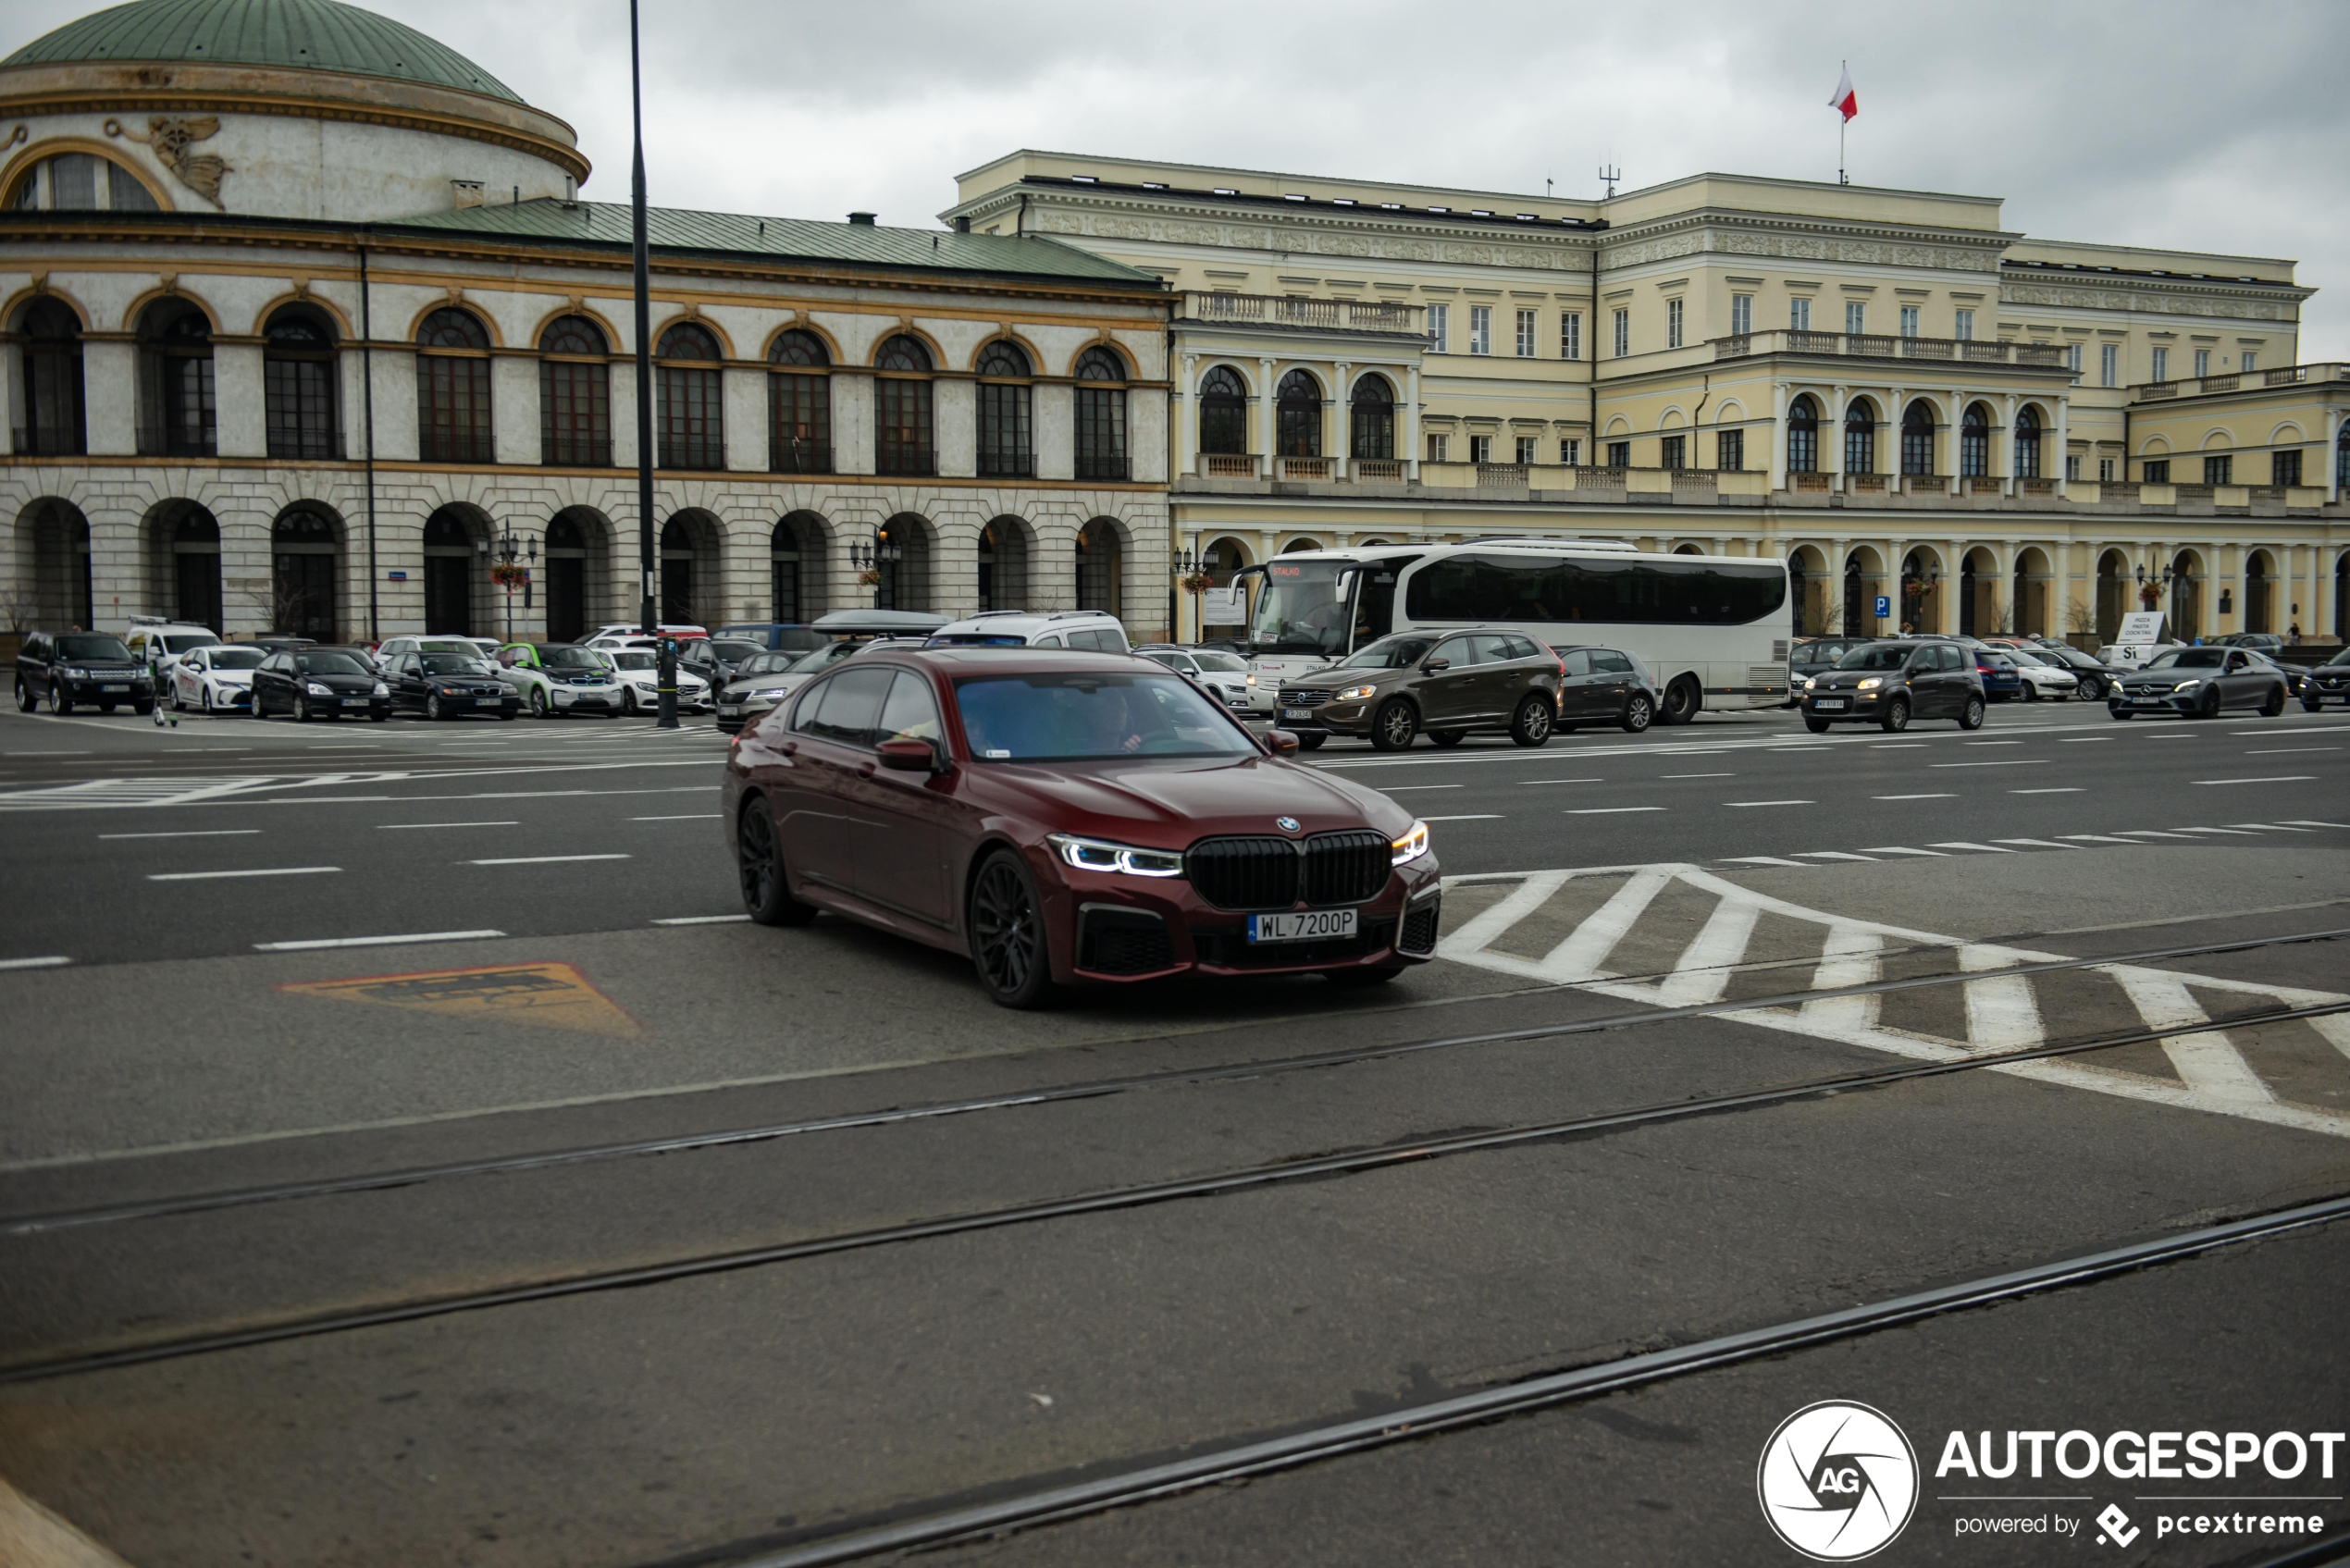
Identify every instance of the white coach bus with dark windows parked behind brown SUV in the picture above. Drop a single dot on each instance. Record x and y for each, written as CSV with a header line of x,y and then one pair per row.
x,y
1712,629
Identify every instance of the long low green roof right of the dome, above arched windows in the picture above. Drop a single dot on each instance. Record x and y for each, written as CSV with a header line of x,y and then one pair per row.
x,y
786,239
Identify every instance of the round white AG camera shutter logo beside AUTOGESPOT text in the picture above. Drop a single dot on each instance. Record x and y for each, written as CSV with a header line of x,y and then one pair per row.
x,y
1839,1482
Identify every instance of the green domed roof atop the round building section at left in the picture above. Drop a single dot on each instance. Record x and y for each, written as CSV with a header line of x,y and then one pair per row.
x,y
297,34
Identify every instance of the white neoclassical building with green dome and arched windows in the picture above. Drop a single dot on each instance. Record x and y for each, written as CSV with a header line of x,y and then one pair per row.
x,y
307,326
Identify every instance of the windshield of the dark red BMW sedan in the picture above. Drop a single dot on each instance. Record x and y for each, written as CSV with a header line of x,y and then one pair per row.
x,y
1073,718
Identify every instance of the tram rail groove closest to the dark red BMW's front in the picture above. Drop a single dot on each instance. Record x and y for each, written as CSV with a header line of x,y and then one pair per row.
x,y
1092,1090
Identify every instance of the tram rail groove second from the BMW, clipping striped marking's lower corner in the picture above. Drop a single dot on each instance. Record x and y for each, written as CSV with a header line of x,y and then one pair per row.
x,y
1139,1195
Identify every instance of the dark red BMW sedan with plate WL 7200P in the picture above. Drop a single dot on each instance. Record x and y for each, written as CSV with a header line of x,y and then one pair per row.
x,y
1070,819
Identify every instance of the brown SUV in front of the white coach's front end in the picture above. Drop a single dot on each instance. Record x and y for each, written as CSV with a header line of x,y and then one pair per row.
x,y
1444,685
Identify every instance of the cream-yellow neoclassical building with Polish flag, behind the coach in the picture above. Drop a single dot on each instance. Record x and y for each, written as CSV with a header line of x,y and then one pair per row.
x,y
1888,389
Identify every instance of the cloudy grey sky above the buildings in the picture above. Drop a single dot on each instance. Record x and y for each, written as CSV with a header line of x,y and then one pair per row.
x,y
2140,121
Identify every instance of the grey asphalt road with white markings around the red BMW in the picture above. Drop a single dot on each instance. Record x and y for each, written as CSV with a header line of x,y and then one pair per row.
x,y
1637,927
